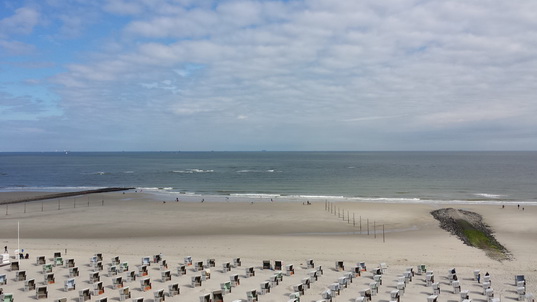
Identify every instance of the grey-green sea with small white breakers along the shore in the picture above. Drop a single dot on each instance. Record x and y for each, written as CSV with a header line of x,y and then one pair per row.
x,y
407,177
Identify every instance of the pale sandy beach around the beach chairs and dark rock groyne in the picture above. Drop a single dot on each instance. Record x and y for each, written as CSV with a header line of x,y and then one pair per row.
x,y
134,225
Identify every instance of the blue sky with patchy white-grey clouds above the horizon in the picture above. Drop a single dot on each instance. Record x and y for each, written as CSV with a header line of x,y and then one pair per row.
x,y
246,75
